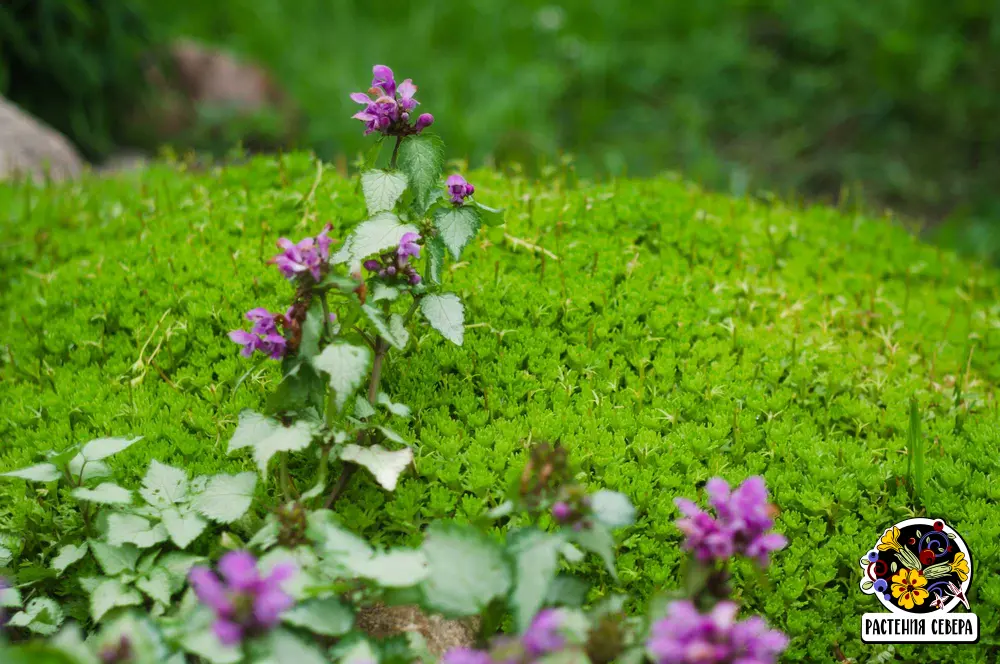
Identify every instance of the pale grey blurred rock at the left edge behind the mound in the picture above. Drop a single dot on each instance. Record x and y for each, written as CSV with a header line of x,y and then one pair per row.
x,y
29,147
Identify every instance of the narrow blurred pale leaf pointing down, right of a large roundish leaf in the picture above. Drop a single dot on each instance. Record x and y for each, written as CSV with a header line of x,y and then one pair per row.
x,y
536,559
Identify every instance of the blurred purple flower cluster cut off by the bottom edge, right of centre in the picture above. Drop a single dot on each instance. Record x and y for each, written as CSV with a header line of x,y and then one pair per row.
x,y
685,636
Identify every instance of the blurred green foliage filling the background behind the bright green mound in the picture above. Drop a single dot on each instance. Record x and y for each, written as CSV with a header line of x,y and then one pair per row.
x,y
894,102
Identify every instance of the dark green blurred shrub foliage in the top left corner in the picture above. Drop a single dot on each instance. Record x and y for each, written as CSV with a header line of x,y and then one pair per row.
x,y
75,64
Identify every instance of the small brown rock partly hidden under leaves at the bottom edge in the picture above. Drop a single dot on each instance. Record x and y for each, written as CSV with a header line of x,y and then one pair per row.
x,y
441,634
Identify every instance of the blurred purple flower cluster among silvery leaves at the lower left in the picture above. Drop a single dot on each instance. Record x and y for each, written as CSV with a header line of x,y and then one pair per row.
x,y
244,602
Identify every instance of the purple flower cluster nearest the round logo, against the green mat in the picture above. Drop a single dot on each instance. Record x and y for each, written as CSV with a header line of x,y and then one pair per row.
x,y
743,519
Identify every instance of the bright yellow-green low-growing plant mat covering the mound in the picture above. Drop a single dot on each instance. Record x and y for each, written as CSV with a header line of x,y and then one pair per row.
x,y
679,335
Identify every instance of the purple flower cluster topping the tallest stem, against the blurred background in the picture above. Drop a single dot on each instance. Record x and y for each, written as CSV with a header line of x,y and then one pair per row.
x,y
388,106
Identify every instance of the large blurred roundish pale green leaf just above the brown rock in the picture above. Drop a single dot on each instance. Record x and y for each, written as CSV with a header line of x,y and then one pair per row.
x,y
467,570
